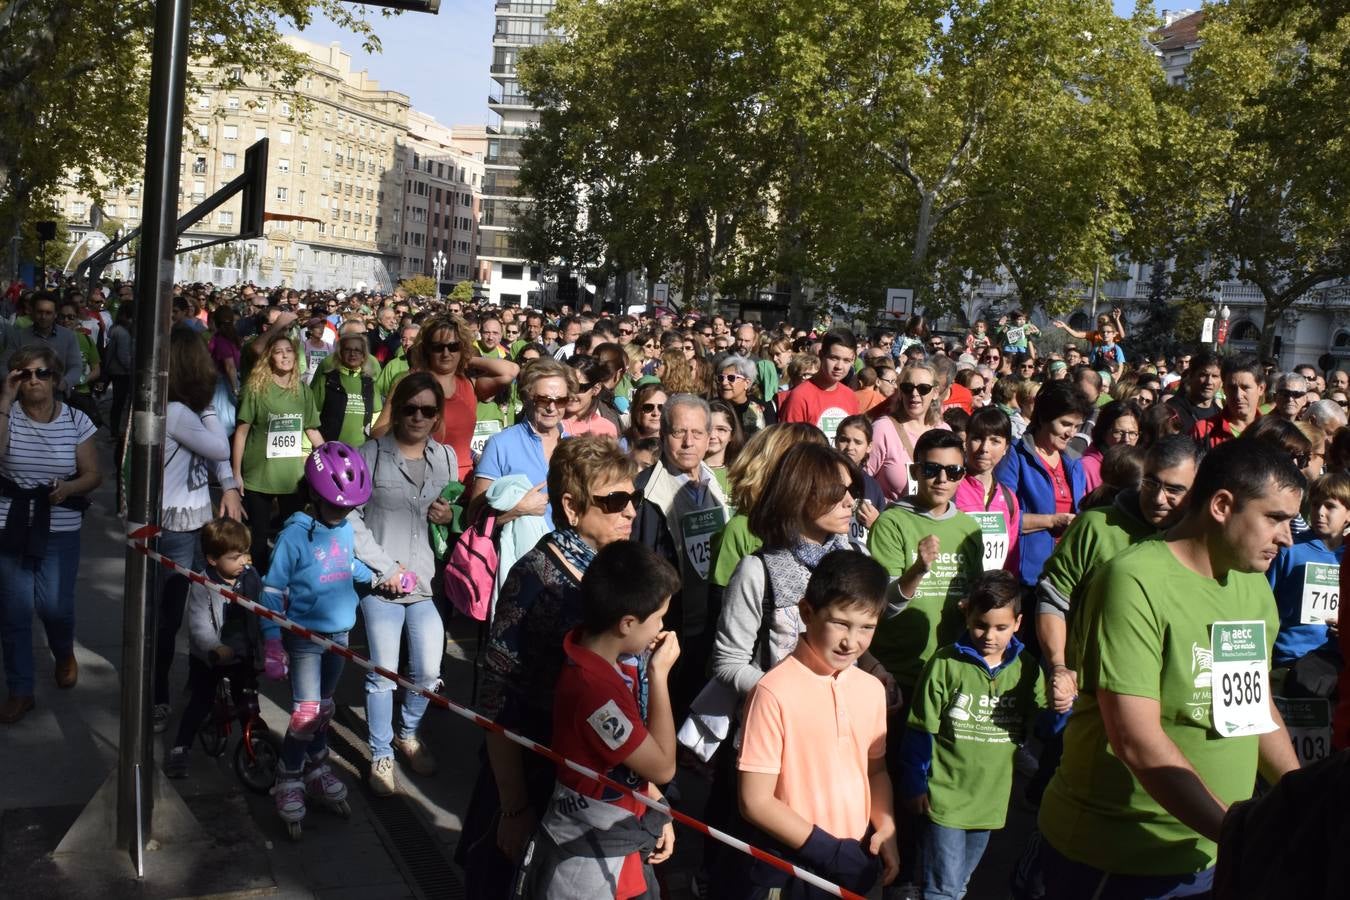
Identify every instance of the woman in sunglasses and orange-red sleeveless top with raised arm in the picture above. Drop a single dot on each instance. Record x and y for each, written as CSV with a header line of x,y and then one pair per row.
x,y
446,349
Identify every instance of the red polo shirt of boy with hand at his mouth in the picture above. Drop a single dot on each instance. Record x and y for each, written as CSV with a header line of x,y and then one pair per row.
x,y
599,724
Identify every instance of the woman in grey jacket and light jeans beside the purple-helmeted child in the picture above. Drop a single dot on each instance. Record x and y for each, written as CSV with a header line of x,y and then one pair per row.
x,y
408,472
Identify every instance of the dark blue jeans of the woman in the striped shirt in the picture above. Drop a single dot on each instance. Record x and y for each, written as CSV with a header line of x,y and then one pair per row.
x,y
47,588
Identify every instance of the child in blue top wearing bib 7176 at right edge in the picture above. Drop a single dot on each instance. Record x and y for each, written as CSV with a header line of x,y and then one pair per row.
x,y
1306,575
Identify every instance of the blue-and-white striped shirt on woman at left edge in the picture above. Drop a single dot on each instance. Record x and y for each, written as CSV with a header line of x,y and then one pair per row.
x,y
41,453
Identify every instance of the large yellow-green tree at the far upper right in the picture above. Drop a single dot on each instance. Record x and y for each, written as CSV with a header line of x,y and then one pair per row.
x,y
1251,188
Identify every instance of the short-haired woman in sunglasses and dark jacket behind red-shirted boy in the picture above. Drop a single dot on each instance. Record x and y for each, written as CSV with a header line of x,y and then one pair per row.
x,y
593,500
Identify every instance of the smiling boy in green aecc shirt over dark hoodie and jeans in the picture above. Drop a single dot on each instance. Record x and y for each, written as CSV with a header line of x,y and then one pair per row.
x,y
973,709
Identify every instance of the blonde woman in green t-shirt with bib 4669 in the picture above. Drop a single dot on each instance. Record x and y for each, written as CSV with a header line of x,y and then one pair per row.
x,y
276,430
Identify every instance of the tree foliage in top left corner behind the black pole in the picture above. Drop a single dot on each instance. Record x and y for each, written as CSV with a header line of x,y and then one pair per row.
x,y
75,84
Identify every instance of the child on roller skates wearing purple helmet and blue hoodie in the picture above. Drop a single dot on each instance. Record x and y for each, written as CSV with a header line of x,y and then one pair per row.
x,y
310,582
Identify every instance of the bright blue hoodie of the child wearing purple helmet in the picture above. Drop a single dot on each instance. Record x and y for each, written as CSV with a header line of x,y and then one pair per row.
x,y
317,565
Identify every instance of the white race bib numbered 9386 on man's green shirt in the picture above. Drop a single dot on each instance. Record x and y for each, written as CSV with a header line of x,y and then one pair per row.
x,y
1241,678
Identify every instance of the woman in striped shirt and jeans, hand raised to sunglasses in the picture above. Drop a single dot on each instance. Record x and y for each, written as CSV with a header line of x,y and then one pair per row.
x,y
48,466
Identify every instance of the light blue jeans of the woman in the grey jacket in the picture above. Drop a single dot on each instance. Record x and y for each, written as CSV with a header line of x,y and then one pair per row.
x,y
385,627
